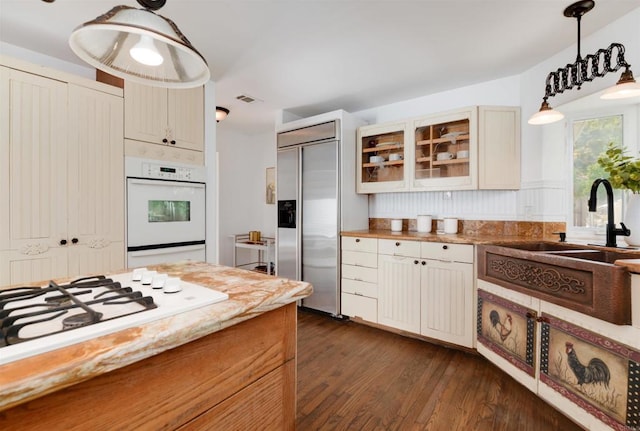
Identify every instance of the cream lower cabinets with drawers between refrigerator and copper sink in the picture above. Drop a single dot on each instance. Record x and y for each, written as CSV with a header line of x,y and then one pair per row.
x,y
425,288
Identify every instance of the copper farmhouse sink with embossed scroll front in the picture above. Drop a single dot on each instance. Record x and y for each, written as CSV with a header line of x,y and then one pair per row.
x,y
581,278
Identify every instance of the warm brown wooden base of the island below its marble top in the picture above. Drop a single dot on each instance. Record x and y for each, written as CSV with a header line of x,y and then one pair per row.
x,y
240,378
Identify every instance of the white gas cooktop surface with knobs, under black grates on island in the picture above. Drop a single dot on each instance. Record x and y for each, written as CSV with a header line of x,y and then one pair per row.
x,y
189,297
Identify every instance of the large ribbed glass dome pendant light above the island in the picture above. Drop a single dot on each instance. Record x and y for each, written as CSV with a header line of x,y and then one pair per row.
x,y
141,46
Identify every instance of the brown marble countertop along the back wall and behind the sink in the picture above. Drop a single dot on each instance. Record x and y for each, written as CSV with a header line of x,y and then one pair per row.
x,y
633,263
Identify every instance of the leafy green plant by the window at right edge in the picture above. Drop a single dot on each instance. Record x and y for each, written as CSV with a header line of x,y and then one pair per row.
x,y
624,171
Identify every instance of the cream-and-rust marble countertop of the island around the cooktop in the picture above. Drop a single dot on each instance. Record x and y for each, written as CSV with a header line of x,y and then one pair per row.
x,y
250,294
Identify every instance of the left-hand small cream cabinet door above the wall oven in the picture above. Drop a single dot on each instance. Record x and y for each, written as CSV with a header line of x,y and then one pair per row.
x,y
145,111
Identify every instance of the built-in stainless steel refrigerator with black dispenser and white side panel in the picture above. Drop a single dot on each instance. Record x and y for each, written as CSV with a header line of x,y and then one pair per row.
x,y
315,188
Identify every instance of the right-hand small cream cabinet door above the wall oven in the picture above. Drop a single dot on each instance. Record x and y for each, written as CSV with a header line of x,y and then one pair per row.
x,y
186,118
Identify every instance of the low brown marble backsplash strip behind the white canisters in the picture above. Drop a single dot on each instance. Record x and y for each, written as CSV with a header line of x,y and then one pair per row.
x,y
522,229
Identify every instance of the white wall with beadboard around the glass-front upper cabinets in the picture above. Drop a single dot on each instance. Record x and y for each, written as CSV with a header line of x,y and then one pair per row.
x,y
544,162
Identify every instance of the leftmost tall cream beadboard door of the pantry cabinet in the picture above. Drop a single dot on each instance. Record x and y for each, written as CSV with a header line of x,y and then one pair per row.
x,y
33,160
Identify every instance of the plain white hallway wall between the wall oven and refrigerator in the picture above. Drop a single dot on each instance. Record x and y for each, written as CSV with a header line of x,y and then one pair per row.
x,y
243,160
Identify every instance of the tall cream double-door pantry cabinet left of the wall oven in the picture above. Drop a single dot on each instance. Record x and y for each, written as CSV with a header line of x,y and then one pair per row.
x,y
61,161
